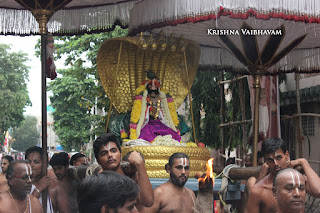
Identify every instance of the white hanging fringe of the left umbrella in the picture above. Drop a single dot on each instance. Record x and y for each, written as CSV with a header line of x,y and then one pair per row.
x,y
75,21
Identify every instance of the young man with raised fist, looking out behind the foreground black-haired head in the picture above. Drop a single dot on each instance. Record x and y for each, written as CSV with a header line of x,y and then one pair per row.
x,y
107,151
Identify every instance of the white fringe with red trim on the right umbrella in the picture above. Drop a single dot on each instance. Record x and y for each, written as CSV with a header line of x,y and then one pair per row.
x,y
173,12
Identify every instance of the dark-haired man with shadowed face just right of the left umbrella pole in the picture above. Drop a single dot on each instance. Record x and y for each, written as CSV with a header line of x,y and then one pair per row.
x,y
60,165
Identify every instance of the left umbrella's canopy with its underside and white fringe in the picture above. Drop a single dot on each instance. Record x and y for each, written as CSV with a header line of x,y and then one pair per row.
x,y
75,17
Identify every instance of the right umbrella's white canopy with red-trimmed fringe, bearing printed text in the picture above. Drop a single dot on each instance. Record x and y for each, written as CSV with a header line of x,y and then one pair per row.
x,y
196,20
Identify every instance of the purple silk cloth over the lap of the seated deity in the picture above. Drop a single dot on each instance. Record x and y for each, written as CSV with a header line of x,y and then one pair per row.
x,y
154,128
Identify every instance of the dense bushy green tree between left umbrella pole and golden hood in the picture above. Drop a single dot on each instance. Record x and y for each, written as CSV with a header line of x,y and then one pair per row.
x,y
71,121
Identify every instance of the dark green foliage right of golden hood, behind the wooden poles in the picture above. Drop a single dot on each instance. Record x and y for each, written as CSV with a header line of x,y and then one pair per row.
x,y
207,109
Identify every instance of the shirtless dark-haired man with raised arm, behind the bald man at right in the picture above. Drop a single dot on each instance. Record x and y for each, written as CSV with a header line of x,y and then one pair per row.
x,y
276,155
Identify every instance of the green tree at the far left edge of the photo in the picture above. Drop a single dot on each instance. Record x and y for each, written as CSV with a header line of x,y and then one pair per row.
x,y
13,88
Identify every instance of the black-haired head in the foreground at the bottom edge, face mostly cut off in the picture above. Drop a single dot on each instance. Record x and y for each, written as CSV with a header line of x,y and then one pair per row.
x,y
108,192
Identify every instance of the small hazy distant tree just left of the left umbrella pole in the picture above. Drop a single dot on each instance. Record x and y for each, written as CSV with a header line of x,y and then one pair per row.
x,y
26,135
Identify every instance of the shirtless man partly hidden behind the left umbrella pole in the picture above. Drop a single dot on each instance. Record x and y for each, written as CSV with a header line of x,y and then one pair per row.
x,y
56,198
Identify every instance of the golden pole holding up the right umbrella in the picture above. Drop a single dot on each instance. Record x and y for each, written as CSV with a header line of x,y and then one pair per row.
x,y
256,86
